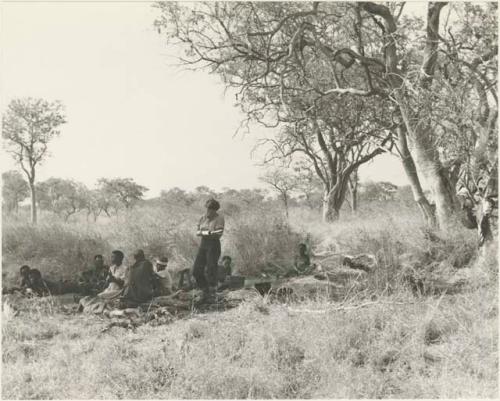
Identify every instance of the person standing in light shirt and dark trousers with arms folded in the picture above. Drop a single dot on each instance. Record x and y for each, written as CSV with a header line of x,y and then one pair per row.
x,y
210,229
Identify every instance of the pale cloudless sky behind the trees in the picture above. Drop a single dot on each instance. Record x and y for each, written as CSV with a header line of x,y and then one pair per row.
x,y
131,111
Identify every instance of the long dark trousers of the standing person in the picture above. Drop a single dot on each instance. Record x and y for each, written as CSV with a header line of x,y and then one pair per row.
x,y
205,265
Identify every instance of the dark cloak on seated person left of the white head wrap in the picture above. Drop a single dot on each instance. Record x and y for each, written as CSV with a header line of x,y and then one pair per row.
x,y
139,284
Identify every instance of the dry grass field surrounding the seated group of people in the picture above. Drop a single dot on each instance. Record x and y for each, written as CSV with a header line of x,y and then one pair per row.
x,y
384,343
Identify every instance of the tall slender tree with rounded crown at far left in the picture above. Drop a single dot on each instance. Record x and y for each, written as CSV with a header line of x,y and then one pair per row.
x,y
28,125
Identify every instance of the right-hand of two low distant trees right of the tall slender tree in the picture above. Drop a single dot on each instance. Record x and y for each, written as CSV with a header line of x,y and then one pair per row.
x,y
123,190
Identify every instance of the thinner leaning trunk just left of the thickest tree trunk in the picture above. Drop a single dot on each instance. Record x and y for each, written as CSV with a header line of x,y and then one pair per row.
x,y
412,175
